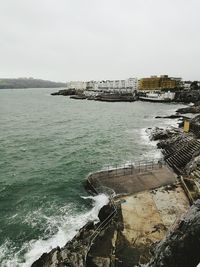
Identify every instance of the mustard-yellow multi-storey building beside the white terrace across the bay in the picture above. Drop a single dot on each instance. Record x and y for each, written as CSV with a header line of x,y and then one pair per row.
x,y
158,83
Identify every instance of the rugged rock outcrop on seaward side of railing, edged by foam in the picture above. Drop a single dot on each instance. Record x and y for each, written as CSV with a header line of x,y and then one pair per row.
x,y
75,252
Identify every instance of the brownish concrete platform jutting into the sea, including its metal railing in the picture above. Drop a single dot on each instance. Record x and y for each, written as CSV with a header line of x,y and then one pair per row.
x,y
131,179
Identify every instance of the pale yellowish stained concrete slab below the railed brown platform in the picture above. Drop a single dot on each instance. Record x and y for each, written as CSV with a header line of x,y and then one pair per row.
x,y
148,215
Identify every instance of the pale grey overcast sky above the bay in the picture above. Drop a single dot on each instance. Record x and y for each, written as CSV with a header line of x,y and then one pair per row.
x,y
99,39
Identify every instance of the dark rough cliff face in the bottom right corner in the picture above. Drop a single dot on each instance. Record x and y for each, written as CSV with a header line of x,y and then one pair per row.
x,y
181,246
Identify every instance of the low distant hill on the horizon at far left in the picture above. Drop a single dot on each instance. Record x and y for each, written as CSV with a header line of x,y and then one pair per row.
x,y
28,83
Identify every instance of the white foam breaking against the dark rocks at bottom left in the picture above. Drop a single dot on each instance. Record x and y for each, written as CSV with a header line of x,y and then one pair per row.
x,y
68,227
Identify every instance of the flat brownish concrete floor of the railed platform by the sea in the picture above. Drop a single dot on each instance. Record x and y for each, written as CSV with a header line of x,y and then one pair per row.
x,y
136,182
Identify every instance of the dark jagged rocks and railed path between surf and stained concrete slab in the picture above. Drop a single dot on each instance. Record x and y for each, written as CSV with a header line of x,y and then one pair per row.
x,y
81,250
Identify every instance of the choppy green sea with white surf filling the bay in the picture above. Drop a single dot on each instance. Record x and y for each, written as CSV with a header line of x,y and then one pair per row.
x,y
48,146
